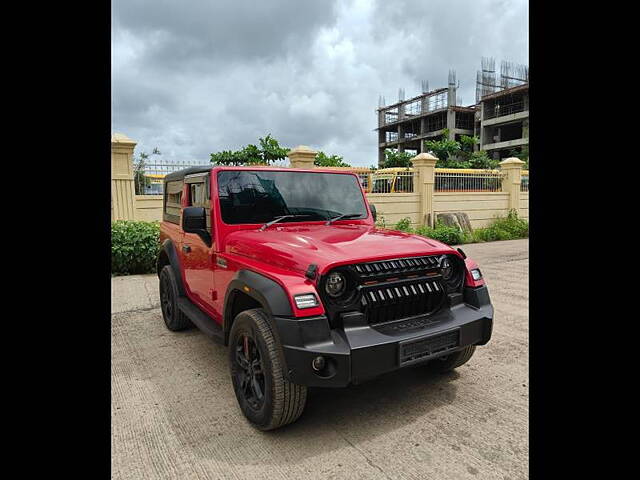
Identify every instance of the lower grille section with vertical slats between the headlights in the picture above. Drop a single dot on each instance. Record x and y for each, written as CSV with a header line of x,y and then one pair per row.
x,y
386,302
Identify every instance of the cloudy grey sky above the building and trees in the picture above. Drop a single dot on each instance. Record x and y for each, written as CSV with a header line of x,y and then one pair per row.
x,y
193,77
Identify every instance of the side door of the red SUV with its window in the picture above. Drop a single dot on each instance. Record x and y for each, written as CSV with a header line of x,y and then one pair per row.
x,y
196,253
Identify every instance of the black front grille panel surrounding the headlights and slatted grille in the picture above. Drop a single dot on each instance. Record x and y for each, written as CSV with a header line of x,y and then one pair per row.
x,y
390,290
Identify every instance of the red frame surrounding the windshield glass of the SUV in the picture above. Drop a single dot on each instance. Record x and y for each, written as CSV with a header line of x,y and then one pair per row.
x,y
367,217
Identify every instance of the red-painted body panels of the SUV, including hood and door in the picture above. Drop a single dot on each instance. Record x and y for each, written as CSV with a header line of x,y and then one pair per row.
x,y
284,251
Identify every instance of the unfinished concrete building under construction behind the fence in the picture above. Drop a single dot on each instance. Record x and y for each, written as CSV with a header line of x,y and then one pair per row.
x,y
499,118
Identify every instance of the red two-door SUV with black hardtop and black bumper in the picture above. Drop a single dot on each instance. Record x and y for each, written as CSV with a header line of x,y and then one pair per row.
x,y
288,269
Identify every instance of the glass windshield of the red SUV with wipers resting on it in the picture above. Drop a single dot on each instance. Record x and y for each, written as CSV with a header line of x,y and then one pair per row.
x,y
248,196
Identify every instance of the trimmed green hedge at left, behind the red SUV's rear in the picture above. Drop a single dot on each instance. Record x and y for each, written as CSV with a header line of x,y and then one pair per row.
x,y
134,247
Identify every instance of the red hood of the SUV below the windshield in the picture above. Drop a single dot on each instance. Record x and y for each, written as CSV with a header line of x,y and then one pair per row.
x,y
295,247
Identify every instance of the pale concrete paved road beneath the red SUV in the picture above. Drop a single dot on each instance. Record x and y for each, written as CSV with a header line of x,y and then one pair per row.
x,y
174,414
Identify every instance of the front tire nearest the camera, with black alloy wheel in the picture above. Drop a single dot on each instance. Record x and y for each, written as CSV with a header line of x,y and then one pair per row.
x,y
251,341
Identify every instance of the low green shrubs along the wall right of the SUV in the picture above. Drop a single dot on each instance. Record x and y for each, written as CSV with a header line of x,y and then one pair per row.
x,y
503,228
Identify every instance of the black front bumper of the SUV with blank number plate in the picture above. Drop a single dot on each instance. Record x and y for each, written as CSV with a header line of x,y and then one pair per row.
x,y
359,351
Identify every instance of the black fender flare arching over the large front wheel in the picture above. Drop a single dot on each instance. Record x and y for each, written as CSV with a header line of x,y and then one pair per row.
x,y
264,290
